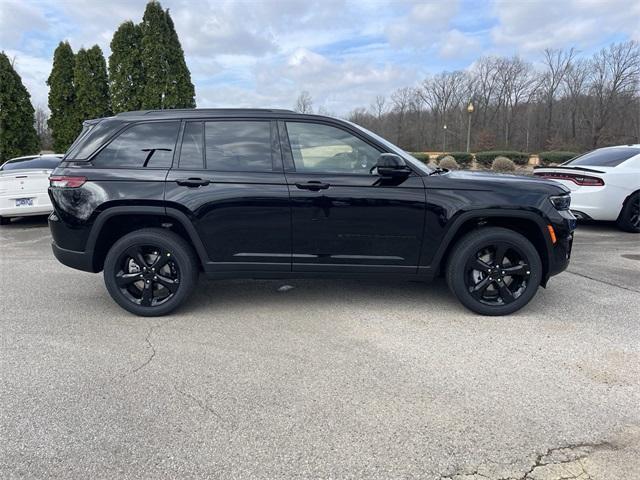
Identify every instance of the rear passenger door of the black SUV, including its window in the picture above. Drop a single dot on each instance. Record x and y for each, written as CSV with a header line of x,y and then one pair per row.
x,y
229,181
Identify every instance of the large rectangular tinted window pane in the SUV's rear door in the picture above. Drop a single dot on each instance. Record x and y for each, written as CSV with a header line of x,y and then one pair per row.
x,y
238,146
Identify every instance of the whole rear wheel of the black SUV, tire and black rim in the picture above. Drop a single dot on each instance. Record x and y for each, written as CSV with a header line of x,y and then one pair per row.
x,y
150,272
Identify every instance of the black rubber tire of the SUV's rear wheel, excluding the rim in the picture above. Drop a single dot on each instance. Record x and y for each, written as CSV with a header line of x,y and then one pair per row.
x,y
181,255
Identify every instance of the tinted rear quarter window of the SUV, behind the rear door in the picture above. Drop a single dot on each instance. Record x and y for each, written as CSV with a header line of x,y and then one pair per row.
x,y
144,145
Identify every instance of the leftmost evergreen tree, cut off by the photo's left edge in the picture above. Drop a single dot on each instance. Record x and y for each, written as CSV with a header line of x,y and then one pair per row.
x,y
17,132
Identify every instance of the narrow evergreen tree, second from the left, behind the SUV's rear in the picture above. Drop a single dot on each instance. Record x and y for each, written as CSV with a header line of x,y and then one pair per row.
x,y
63,121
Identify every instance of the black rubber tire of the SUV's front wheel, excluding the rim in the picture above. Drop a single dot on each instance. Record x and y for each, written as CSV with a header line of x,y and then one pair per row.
x,y
469,246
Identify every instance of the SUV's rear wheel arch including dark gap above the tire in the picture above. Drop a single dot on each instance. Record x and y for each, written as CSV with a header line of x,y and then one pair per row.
x,y
115,222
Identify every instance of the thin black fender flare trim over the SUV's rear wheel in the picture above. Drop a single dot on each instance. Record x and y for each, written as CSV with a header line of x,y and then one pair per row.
x,y
172,213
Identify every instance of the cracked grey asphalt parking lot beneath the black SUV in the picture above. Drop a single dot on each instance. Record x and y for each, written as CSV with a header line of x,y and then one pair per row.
x,y
329,379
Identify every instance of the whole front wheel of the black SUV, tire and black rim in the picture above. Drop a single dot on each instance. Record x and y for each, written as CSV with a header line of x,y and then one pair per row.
x,y
484,285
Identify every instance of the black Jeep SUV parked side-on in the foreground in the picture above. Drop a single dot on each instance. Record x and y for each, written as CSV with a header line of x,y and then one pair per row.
x,y
154,197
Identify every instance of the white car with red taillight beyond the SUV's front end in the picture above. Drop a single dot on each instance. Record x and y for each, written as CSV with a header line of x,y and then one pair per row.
x,y
604,183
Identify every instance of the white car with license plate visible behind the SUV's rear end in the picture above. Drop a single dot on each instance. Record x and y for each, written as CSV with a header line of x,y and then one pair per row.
x,y
24,182
